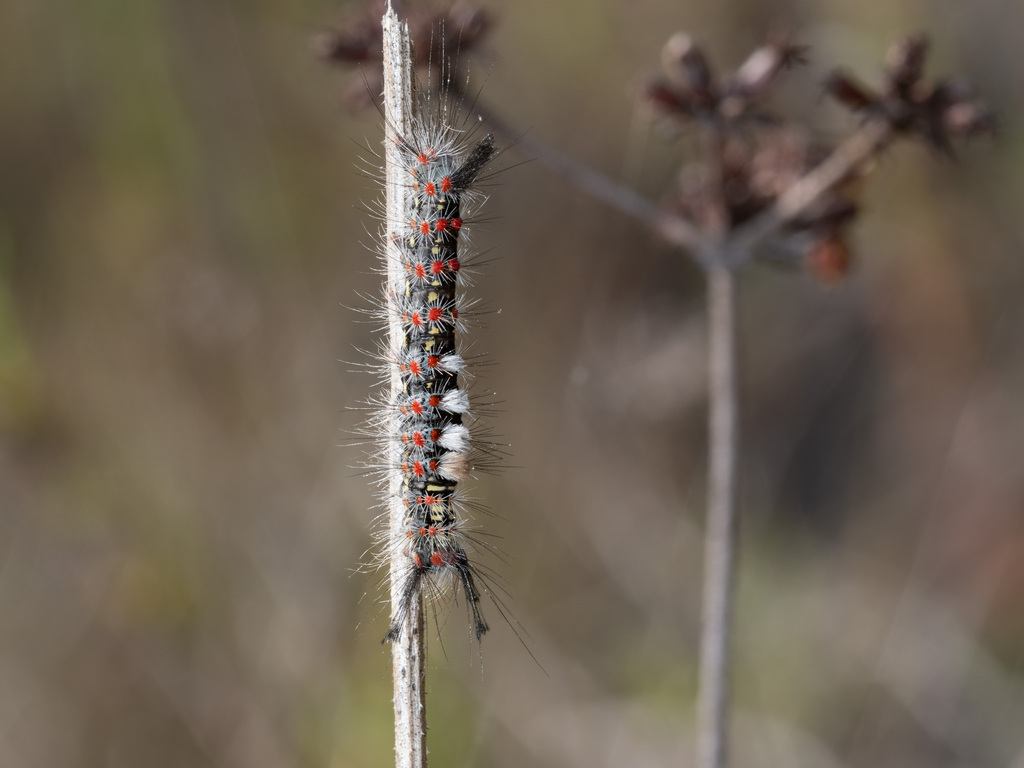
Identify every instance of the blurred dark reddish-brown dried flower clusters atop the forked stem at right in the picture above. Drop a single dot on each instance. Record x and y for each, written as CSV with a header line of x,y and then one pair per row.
x,y
759,158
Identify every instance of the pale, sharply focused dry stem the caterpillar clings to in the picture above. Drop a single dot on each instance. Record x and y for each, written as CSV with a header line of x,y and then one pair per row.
x,y
409,652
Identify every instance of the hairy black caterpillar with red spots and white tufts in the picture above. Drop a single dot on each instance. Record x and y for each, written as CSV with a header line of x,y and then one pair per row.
x,y
424,428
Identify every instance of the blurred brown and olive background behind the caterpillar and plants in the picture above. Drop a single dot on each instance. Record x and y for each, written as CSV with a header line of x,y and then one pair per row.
x,y
183,240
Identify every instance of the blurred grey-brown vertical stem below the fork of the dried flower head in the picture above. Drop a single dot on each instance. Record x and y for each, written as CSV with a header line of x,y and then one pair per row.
x,y
722,525
